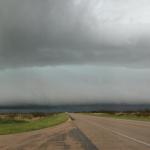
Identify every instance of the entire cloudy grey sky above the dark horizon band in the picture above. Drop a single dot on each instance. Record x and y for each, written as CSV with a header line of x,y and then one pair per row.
x,y
74,51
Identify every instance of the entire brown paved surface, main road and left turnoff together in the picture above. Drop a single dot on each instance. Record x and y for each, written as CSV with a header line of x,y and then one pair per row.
x,y
83,132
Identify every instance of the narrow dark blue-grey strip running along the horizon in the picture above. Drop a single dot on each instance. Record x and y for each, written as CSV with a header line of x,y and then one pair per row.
x,y
100,107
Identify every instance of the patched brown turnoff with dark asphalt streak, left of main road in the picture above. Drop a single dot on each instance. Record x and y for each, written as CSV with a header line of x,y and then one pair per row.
x,y
65,136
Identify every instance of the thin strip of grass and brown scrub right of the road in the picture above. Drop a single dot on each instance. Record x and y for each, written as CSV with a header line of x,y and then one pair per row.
x,y
130,116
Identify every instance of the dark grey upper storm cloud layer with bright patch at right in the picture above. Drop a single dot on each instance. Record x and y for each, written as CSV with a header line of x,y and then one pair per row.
x,y
54,32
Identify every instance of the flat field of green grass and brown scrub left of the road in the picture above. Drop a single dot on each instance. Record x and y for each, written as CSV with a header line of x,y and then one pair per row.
x,y
15,123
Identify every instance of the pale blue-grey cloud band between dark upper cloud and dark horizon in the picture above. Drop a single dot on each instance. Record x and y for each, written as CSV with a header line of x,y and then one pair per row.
x,y
74,85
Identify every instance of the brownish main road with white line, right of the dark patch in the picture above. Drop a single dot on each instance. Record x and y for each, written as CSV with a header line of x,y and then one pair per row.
x,y
114,134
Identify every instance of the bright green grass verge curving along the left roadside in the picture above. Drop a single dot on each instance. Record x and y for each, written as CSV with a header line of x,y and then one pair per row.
x,y
8,126
